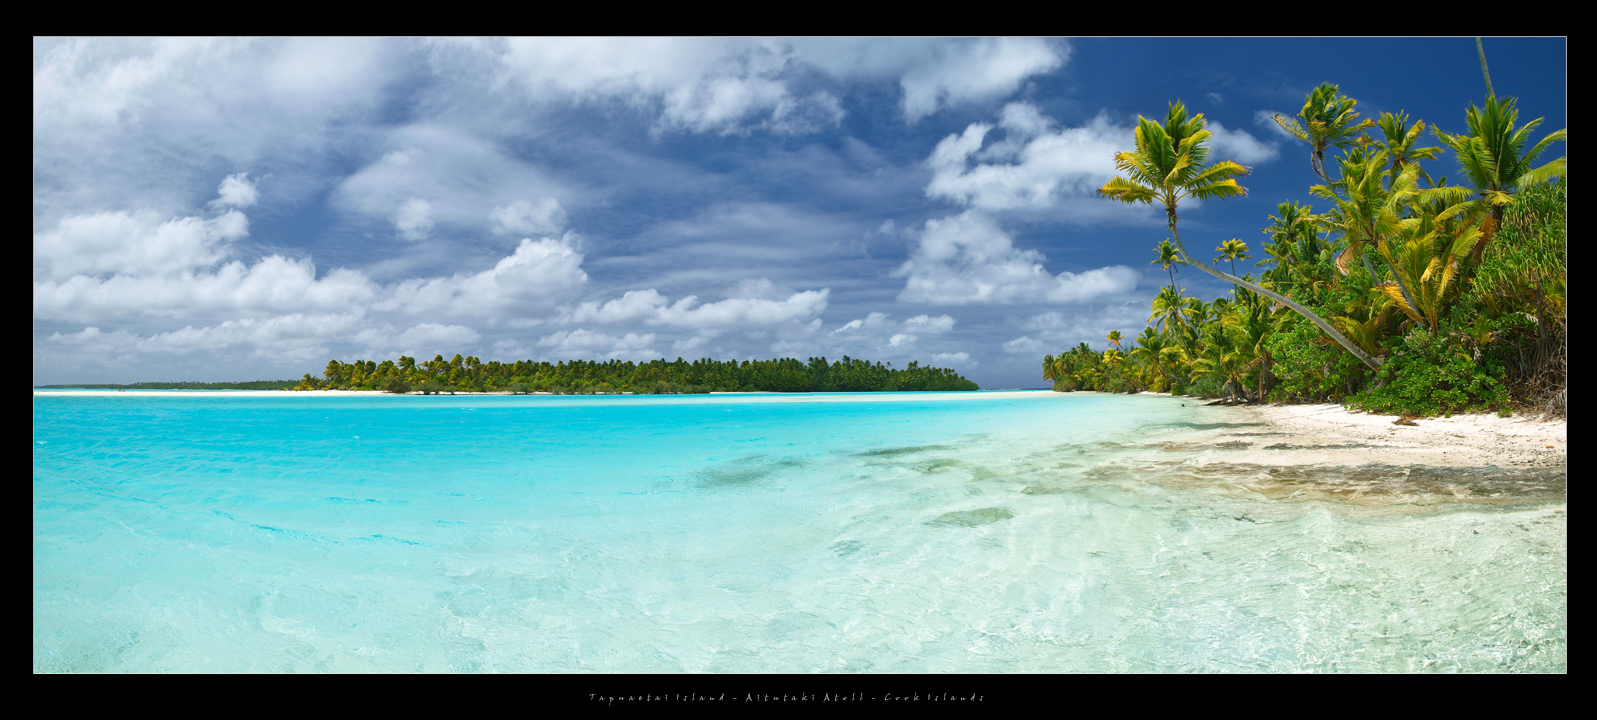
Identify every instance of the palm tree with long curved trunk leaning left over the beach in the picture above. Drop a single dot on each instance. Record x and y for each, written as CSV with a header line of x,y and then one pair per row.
x,y
1168,165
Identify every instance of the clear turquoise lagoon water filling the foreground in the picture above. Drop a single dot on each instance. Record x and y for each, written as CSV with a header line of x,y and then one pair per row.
x,y
745,534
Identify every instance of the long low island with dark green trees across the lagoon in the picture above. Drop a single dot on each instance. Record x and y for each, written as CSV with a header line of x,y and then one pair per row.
x,y
467,374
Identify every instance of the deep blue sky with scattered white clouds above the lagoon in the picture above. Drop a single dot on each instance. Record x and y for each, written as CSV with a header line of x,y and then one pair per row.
x,y
237,210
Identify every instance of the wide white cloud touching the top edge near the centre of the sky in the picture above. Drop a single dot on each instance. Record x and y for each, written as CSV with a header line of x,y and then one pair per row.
x,y
734,85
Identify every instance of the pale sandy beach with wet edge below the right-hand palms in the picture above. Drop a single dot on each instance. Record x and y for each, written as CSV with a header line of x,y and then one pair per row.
x,y
1326,453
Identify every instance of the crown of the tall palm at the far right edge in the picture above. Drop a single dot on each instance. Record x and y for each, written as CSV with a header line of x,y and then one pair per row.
x,y
1497,164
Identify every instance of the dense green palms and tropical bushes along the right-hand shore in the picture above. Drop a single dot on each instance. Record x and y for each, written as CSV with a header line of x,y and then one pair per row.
x,y
1403,296
